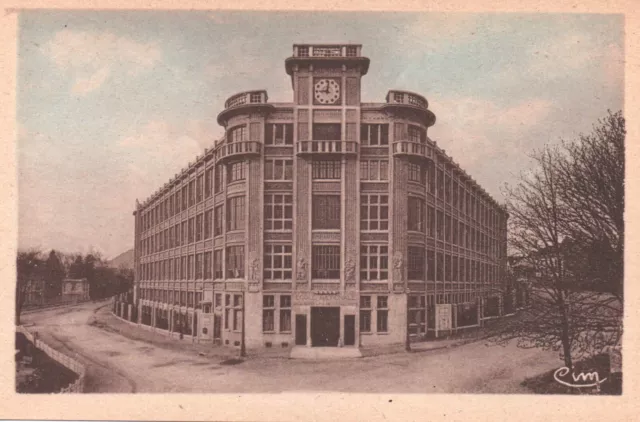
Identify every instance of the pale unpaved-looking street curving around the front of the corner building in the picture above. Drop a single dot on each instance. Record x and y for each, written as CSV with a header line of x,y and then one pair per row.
x,y
117,363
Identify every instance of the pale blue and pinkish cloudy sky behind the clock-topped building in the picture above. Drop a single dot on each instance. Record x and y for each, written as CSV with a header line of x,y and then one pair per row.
x,y
110,105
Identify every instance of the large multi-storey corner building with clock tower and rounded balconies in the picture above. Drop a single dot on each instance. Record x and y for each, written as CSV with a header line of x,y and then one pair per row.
x,y
325,221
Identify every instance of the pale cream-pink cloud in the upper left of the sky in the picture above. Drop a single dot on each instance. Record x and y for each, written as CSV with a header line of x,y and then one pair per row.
x,y
92,56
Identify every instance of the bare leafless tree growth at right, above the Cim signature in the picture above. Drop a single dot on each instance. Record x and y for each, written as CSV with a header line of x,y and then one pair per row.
x,y
562,214
